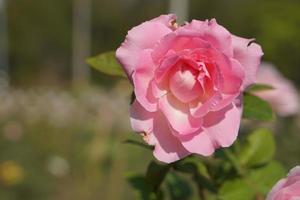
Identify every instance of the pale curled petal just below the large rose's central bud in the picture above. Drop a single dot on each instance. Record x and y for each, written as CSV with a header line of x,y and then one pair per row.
x,y
177,114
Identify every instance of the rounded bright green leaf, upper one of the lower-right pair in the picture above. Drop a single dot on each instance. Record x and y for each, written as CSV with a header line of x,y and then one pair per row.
x,y
259,148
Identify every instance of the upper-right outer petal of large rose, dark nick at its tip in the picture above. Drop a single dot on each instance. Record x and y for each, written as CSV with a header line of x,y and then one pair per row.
x,y
249,55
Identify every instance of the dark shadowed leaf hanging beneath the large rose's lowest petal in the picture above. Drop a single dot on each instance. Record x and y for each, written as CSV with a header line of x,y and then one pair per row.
x,y
156,174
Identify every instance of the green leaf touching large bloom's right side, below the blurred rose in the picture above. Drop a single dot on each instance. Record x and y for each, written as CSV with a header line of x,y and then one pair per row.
x,y
256,108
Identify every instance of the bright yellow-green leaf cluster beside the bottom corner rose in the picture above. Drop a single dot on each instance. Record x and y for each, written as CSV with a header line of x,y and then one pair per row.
x,y
261,172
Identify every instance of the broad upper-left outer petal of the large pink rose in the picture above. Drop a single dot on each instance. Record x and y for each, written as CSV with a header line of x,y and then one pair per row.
x,y
143,36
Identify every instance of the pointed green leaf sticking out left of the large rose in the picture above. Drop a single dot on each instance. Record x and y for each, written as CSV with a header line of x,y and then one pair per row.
x,y
107,64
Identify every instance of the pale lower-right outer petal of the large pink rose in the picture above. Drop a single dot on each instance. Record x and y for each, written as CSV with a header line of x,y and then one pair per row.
x,y
223,125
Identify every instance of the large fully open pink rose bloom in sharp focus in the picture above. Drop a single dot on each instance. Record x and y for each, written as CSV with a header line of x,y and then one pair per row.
x,y
188,82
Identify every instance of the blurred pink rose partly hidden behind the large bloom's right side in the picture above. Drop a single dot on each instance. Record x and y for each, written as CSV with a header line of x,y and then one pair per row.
x,y
284,97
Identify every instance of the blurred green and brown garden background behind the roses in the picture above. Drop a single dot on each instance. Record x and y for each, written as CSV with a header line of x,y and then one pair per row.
x,y
62,125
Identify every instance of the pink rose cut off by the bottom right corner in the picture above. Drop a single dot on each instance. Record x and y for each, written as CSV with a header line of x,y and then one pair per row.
x,y
287,188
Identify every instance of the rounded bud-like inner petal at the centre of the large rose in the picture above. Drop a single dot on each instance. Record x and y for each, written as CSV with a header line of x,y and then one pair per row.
x,y
184,84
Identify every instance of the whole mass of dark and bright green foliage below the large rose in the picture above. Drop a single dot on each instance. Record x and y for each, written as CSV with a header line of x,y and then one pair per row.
x,y
232,174
